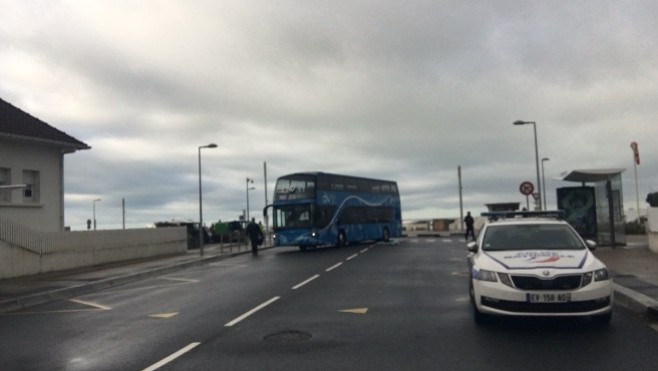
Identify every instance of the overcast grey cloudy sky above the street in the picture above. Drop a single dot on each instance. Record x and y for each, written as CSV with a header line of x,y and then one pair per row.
x,y
402,90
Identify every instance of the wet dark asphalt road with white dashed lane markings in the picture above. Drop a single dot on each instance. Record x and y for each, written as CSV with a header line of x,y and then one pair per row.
x,y
398,306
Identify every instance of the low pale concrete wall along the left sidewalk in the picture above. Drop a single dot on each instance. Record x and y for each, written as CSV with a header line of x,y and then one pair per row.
x,y
17,261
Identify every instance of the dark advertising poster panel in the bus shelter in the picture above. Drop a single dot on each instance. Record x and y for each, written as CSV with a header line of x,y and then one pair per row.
x,y
579,204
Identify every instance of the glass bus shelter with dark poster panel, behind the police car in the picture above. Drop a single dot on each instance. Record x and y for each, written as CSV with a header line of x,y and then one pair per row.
x,y
595,208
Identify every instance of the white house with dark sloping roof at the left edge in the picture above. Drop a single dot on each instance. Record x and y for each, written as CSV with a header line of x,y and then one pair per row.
x,y
32,169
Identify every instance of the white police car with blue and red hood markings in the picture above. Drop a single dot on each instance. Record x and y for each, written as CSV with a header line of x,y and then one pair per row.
x,y
533,264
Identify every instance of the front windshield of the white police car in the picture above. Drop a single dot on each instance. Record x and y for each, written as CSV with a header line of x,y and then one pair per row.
x,y
531,237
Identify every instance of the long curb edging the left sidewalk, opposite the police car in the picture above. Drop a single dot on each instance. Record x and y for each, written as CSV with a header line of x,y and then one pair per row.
x,y
28,301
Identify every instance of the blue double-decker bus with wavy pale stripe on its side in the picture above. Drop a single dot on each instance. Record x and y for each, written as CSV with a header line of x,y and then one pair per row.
x,y
313,209
